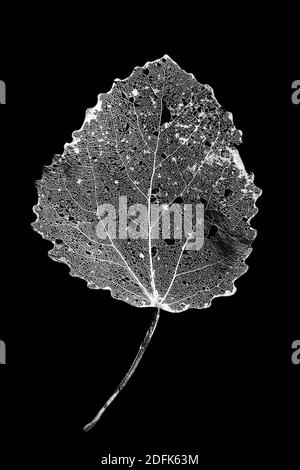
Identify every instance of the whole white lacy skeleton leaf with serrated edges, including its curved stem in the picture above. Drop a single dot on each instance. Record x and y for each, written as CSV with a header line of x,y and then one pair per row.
x,y
161,139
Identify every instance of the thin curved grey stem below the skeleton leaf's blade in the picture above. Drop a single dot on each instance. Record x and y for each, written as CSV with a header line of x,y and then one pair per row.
x,y
130,372
